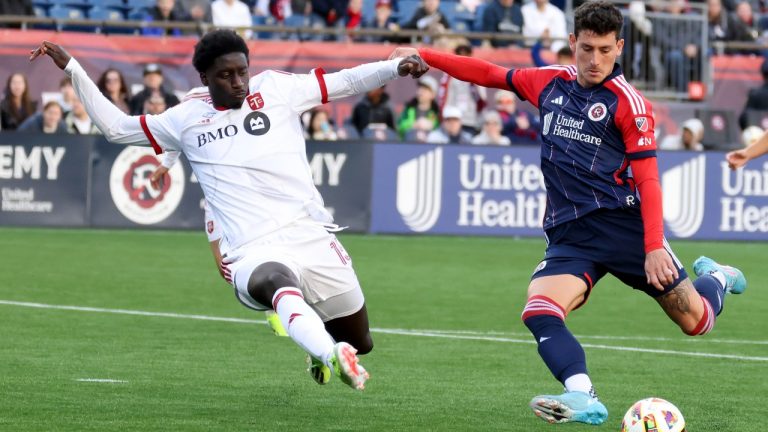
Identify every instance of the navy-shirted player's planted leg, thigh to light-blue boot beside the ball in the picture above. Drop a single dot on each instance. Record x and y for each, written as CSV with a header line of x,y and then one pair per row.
x,y
550,298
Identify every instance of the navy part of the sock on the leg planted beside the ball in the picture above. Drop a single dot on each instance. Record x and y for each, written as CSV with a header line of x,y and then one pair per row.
x,y
561,352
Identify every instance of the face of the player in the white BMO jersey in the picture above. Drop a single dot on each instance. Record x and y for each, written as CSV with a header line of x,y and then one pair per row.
x,y
227,80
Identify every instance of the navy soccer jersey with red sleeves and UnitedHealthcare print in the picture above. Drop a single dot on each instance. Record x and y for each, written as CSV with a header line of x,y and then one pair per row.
x,y
590,135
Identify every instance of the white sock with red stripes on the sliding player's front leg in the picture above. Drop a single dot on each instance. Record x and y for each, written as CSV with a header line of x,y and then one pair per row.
x,y
302,323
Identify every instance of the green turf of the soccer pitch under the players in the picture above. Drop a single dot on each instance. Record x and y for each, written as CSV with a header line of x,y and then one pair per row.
x,y
193,375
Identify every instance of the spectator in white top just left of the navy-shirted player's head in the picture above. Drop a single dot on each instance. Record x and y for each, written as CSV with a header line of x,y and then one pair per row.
x,y
541,20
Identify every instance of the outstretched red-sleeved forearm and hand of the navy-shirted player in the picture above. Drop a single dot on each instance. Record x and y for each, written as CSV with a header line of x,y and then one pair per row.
x,y
464,68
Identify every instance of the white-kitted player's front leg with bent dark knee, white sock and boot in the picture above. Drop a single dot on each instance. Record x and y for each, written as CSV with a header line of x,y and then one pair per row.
x,y
274,283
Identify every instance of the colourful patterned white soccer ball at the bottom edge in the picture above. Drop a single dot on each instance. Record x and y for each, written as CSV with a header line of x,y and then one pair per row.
x,y
653,415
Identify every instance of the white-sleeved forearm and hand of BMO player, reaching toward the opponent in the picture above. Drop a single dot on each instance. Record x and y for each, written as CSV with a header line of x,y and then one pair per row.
x,y
369,76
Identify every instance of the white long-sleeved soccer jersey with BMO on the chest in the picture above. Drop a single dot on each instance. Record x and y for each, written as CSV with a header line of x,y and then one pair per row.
x,y
251,162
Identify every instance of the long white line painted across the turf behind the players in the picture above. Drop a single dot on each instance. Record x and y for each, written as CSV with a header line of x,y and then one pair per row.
x,y
461,335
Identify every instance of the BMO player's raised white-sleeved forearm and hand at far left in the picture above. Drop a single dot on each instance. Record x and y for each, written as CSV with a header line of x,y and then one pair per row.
x,y
116,126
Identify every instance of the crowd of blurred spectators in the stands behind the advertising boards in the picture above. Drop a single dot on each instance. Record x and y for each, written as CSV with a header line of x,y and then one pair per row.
x,y
442,111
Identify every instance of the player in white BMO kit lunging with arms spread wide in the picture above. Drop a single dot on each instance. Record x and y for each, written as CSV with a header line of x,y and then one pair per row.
x,y
244,140
